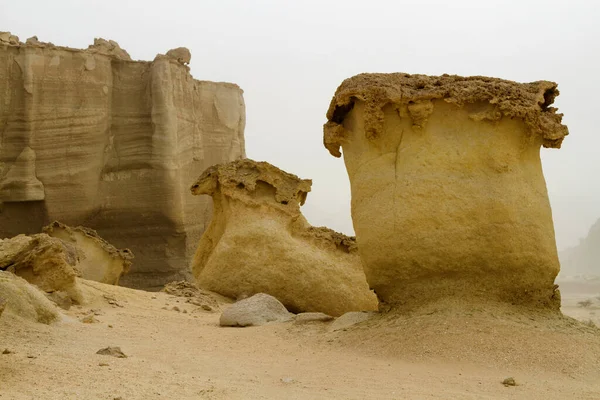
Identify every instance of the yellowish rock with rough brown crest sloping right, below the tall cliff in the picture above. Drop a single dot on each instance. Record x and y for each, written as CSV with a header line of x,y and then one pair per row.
x,y
98,260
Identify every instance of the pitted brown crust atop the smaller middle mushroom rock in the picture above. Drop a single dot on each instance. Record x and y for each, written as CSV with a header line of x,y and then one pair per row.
x,y
246,176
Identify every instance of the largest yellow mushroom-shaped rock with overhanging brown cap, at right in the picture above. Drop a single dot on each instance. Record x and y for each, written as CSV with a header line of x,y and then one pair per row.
x,y
448,194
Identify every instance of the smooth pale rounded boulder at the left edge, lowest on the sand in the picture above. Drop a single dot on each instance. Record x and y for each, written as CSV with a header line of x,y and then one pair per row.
x,y
25,300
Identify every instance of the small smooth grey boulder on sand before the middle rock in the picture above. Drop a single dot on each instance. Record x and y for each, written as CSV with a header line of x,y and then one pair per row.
x,y
255,311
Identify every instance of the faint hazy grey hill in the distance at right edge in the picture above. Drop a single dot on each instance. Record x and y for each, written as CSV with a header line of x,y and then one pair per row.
x,y
583,260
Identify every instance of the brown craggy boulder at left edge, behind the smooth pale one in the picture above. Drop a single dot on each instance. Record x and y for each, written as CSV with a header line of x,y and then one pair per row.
x,y
47,262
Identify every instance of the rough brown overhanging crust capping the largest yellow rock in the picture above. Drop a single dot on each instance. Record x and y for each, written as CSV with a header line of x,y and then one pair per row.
x,y
528,101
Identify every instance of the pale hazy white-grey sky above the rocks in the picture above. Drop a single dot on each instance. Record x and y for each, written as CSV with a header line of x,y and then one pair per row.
x,y
290,56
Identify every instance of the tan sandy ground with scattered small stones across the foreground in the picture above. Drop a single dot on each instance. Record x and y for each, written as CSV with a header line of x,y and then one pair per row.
x,y
186,355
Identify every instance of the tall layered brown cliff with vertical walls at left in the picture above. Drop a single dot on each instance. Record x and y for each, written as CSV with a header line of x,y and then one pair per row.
x,y
90,137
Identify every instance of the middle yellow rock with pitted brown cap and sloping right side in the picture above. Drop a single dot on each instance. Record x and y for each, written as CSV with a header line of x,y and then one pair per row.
x,y
258,241
